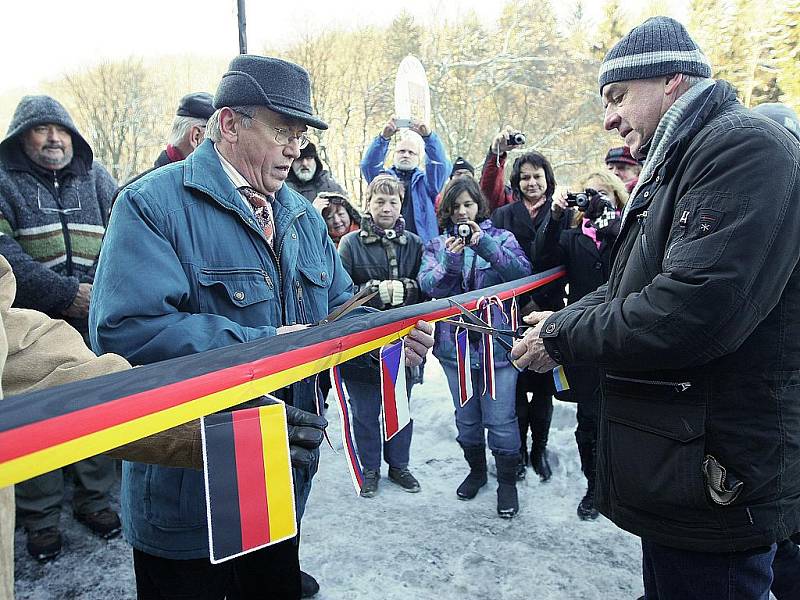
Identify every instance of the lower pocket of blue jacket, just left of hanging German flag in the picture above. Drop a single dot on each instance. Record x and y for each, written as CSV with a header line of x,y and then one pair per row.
x,y
174,498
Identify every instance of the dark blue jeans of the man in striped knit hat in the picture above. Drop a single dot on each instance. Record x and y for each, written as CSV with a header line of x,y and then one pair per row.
x,y
673,574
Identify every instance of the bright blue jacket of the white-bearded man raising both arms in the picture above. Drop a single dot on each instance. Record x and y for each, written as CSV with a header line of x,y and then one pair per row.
x,y
425,186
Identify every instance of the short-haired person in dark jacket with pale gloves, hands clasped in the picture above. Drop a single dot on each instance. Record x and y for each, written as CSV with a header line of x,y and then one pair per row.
x,y
384,257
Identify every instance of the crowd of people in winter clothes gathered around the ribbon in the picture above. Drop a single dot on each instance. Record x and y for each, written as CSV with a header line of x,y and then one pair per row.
x,y
674,324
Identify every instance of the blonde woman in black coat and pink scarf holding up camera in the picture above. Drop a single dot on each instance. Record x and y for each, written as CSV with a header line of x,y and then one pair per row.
x,y
585,251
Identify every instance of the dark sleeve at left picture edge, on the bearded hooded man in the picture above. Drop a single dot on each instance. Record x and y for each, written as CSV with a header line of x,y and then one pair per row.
x,y
38,287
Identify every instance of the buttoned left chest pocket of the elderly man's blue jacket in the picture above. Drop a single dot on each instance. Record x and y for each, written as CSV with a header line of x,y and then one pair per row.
x,y
224,291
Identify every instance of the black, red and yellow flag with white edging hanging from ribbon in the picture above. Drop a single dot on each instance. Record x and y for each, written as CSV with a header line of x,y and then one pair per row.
x,y
248,475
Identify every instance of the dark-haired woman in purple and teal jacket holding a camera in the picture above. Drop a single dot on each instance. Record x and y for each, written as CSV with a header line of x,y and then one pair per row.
x,y
451,267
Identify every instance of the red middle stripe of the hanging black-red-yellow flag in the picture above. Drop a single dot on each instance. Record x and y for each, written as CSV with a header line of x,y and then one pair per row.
x,y
250,474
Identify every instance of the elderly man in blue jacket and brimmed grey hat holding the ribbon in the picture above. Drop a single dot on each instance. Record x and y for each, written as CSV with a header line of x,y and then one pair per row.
x,y
204,253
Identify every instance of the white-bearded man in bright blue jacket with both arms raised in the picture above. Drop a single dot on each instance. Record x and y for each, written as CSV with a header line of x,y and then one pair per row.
x,y
421,187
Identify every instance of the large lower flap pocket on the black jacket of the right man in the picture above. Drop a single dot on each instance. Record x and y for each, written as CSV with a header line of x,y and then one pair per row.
x,y
656,444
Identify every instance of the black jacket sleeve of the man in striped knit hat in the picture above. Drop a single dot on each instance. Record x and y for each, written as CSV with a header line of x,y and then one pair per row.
x,y
714,288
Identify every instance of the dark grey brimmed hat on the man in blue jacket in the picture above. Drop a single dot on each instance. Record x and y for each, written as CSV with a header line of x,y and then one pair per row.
x,y
281,86
